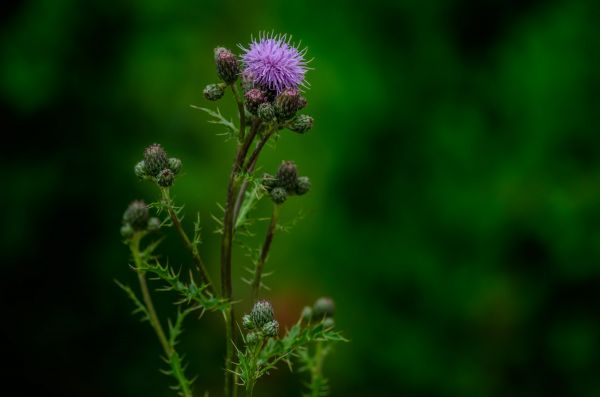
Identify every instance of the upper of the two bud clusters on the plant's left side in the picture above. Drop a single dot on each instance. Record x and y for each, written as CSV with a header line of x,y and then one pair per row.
x,y
158,166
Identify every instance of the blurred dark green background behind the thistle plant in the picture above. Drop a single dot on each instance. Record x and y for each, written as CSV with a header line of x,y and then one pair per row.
x,y
454,215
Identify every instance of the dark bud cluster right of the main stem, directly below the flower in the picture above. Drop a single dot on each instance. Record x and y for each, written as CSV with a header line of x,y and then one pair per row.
x,y
285,183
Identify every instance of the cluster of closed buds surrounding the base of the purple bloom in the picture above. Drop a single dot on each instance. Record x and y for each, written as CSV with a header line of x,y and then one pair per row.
x,y
260,100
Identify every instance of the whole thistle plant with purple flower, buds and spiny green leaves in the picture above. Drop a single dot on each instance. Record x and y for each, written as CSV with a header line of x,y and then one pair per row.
x,y
266,83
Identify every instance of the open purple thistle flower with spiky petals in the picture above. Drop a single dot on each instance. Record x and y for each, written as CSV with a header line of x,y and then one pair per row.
x,y
274,63
